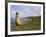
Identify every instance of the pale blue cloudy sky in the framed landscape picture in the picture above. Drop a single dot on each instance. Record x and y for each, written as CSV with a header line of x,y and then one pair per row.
x,y
25,10
